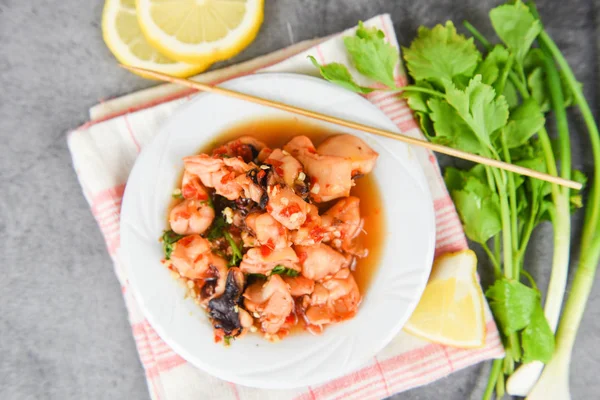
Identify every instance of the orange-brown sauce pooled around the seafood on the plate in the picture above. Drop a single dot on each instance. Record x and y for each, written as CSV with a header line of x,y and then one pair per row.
x,y
277,132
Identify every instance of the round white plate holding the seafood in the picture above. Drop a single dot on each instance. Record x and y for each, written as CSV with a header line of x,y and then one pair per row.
x,y
301,359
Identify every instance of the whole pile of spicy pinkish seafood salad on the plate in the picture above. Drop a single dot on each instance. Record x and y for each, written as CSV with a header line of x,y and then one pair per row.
x,y
267,239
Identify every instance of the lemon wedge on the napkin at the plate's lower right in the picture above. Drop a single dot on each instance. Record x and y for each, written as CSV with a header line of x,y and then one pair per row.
x,y
451,309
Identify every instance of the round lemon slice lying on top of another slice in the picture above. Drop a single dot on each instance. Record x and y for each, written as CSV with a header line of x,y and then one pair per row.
x,y
199,31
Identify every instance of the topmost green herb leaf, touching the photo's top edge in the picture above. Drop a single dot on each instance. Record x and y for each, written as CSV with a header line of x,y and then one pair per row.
x,y
516,27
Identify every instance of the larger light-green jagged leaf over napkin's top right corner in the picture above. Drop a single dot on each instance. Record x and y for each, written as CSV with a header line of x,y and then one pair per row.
x,y
372,56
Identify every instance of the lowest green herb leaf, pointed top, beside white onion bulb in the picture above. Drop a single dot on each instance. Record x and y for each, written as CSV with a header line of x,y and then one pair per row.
x,y
537,338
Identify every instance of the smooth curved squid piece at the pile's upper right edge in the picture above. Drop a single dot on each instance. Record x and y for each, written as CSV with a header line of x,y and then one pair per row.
x,y
362,156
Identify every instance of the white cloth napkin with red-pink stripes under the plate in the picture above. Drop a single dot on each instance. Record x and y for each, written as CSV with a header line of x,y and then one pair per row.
x,y
104,151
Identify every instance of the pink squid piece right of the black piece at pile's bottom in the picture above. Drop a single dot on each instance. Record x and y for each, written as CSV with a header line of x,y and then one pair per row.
x,y
270,302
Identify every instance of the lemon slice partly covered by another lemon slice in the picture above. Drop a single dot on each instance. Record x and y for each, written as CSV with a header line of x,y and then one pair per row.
x,y
124,38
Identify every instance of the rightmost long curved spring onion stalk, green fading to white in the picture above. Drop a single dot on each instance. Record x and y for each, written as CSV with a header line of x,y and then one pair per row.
x,y
554,381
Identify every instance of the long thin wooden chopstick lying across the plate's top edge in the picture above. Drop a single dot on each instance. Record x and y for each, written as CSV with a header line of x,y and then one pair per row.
x,y
365,128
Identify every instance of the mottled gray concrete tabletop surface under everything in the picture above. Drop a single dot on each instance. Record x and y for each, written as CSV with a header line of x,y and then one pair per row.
x,y
63,328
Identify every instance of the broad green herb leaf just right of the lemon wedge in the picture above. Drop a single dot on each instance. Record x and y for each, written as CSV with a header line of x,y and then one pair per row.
x,y
513,304
